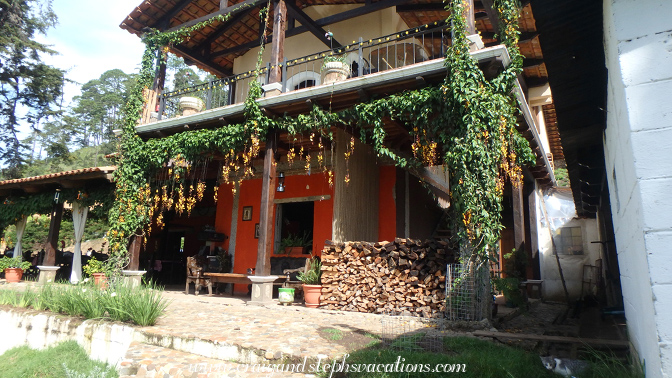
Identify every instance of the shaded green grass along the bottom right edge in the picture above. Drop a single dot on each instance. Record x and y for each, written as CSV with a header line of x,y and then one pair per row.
x,y
478,358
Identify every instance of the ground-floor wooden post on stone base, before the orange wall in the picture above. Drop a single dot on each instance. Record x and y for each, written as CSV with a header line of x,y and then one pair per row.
x,y
265,246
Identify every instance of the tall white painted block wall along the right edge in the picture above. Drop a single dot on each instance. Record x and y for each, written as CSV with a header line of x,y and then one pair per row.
x,y
638,155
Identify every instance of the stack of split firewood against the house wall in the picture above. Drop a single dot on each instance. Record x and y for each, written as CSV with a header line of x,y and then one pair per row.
x,y
403,276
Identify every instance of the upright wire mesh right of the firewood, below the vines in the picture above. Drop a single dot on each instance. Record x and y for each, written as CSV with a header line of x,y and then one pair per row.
x,y
468,296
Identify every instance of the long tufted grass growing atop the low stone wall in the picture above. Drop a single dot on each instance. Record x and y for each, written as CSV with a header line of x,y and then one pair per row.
x,y
140,305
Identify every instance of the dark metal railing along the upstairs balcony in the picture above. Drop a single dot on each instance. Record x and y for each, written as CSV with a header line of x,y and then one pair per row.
x,y
364,57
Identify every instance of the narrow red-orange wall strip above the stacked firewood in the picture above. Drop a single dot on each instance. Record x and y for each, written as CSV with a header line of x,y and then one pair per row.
x,y
387,211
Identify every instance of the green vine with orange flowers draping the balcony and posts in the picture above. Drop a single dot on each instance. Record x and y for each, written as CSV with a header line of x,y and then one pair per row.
x,y
468,123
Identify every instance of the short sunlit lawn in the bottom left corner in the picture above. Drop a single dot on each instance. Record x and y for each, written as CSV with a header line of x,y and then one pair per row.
x,y
65,360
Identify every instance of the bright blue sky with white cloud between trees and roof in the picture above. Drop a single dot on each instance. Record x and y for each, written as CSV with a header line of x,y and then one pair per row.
x,y
90,41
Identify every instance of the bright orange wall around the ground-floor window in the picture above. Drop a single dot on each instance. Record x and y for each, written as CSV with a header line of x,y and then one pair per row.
x,y
250,195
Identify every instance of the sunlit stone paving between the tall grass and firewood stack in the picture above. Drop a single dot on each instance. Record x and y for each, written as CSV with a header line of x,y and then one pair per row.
x,y
276,330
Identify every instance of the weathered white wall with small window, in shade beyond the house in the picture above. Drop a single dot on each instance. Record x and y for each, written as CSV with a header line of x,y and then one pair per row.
x,y
572,265
